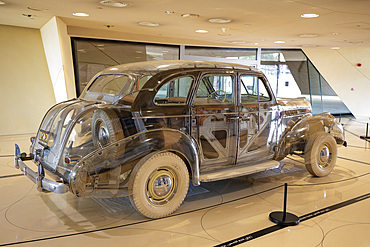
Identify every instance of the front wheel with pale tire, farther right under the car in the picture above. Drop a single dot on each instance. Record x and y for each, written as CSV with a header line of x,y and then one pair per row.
x,y
320,154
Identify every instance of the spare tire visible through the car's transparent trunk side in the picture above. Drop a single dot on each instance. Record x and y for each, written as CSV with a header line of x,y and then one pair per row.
x,y
106,128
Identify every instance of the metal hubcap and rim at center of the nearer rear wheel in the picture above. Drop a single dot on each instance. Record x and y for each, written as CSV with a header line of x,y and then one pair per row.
x,y
161,186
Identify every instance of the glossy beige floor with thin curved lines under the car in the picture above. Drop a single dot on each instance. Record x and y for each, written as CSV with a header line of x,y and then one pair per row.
x,y
334,210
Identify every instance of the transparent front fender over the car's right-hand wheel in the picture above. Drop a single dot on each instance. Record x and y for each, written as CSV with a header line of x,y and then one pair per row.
x,y
295,137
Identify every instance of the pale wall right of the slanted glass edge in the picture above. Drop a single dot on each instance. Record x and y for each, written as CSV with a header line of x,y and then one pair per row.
x,y
351,83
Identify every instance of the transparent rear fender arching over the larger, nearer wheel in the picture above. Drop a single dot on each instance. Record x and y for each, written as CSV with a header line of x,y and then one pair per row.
x,y
109,168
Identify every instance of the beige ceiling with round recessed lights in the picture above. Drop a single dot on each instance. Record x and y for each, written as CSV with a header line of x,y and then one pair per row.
x,y
254,23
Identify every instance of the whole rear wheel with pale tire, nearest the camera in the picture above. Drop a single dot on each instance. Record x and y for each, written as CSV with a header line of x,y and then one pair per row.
x,y
154,169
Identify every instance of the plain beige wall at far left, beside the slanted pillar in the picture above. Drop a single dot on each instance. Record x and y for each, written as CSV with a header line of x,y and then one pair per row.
x,y
25,87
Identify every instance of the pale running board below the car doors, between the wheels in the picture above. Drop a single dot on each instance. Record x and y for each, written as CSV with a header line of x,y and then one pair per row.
x,y
238,171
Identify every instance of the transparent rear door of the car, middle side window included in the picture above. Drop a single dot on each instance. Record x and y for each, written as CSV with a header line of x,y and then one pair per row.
x,y
214,119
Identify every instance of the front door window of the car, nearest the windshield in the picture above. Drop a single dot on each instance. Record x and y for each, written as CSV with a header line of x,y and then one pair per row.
x,y
252,89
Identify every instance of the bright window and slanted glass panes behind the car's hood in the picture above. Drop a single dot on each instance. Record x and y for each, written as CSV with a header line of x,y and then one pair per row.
x,y
291,74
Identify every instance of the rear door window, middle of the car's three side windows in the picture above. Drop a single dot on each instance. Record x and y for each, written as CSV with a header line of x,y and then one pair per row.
x,y
215,89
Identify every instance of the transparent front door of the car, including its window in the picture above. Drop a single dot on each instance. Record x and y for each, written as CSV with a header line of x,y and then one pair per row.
x,y
256,124
